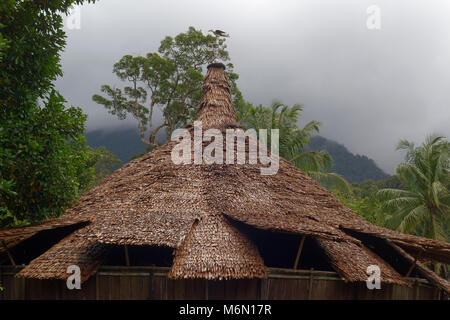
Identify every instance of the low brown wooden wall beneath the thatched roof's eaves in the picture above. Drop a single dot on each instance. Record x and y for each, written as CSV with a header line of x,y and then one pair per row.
x,y
152,283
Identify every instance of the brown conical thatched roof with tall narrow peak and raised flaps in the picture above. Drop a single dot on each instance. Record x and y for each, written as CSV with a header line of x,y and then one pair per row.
x,y
192,208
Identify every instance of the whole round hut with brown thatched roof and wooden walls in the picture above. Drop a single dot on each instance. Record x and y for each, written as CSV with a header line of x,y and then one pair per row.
x,y
158,230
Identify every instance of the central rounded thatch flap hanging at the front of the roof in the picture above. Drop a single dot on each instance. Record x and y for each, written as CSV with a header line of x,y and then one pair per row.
x,y
214,249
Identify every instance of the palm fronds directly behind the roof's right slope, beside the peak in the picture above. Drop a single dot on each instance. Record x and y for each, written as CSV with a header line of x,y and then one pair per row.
x,y
293,140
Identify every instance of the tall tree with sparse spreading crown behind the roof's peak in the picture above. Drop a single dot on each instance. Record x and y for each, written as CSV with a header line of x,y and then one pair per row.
x,y
170,80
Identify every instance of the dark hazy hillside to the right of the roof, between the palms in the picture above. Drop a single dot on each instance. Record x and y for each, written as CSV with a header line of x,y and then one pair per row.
x,y
354,168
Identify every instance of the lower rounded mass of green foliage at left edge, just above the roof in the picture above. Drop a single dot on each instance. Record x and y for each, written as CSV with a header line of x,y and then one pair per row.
x,y
43,153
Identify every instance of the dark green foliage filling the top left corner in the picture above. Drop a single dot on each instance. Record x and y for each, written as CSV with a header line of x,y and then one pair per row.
x,y
33,32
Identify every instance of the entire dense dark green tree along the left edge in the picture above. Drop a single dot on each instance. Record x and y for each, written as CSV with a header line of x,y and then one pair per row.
x,y
42,148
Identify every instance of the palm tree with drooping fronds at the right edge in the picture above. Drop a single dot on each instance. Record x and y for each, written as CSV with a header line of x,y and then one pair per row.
x,y
423,208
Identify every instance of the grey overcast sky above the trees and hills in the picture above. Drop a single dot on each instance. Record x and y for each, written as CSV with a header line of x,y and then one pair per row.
x,y
369,88
